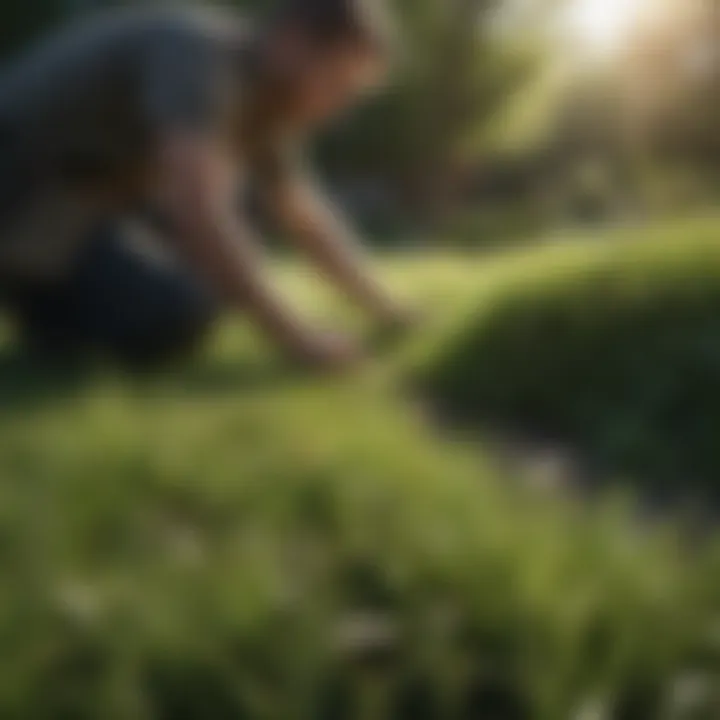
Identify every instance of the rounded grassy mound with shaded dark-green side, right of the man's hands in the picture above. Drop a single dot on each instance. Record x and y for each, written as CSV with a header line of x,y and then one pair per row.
x,y
612,347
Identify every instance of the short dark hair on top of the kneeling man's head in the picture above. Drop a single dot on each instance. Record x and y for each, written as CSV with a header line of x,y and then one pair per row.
x,y
363,22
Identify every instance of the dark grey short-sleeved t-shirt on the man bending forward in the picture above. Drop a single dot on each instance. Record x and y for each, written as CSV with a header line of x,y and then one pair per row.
x,y
80,114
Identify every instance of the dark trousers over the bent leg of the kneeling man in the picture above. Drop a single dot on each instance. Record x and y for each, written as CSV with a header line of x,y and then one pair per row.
x,y
123,299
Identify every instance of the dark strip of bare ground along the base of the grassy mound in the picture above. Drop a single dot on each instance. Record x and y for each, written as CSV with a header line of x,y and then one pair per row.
x,y
580,467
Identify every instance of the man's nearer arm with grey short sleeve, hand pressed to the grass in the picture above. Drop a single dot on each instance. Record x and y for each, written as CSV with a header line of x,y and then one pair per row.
x,y
190,97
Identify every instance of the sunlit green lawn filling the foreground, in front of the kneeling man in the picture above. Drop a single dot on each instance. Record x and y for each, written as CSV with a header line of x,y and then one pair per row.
x,y
231,540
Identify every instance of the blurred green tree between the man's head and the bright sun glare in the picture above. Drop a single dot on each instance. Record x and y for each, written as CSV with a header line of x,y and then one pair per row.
x,y
456,71
